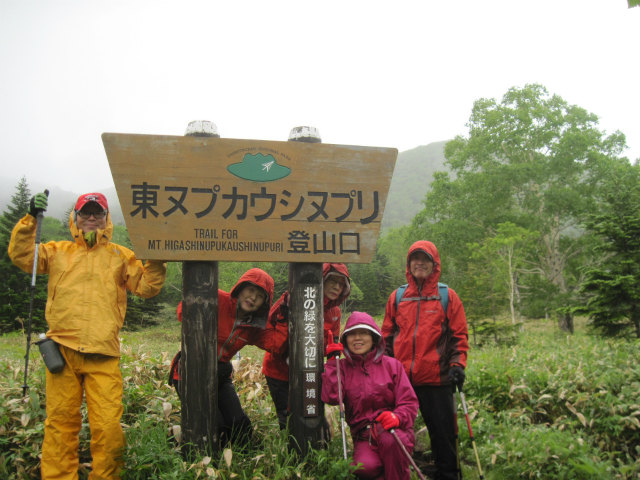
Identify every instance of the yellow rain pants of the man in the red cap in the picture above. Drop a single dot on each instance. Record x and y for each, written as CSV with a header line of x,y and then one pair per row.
x,y
100,378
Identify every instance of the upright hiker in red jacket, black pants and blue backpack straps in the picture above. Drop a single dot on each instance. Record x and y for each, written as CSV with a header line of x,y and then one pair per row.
x,y
432,345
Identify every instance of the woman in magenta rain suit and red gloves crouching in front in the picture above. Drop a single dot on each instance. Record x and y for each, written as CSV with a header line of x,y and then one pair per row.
x,y
377,397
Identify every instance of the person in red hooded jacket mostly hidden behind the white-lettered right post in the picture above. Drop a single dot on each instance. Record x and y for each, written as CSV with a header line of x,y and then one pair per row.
x,y
336,287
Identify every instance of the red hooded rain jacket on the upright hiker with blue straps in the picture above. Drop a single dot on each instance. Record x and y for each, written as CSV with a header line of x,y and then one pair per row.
x,y
419,334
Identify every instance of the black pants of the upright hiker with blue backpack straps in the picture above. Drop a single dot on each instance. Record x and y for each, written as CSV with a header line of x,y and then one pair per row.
x,y
436,407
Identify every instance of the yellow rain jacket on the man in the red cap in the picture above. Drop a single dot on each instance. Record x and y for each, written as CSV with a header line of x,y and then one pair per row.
x,y
87,297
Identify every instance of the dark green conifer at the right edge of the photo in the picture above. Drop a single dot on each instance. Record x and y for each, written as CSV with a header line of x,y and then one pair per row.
x,y
613,286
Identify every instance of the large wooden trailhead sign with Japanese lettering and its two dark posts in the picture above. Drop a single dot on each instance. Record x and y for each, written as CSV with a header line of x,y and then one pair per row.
x,y
206,199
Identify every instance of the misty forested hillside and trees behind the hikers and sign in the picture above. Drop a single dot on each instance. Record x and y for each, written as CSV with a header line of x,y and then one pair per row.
x,y
536,215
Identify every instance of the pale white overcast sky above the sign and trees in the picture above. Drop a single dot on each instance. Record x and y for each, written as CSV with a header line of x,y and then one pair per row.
x,y
393,74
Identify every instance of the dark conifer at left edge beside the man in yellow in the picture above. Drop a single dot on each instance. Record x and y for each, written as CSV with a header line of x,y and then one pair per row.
x,y
15,292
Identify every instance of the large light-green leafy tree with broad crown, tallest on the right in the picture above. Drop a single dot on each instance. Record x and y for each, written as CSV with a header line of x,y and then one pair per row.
x,y
532,160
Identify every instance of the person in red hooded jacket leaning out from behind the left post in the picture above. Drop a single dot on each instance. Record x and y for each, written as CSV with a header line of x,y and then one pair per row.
x,y
242,320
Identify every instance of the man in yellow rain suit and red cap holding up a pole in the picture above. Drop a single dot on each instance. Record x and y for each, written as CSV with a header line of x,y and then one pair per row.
x,y
87,299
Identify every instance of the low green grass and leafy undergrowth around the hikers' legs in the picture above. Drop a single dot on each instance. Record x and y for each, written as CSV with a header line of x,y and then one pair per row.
x,y
541,405
